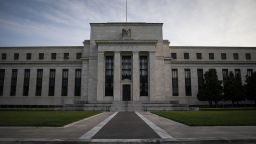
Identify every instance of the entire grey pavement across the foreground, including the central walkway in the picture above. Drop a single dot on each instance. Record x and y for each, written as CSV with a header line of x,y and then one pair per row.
x,y
129,127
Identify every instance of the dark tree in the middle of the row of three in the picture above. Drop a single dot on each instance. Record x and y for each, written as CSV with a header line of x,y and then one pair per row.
x,y
233,88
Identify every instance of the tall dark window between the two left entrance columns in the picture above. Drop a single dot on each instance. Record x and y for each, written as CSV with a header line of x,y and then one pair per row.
x,y
109,75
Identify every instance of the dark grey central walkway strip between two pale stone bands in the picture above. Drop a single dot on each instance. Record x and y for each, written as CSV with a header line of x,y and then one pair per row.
x,y
126,125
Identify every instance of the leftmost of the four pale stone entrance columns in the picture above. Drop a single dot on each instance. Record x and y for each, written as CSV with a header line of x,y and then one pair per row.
x,y
100,78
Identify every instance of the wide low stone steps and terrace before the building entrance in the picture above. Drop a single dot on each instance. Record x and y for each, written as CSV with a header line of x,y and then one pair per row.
x,y
128,106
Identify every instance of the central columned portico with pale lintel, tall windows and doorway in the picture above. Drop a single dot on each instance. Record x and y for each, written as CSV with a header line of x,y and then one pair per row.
x,y
131,60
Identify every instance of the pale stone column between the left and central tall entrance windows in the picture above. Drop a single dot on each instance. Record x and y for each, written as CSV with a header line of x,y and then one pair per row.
x,y
117,74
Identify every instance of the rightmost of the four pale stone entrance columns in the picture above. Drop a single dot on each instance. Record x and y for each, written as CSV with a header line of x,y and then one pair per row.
x,y
152,76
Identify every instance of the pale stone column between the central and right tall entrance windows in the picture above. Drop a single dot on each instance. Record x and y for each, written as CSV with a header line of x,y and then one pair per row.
x,y
135,77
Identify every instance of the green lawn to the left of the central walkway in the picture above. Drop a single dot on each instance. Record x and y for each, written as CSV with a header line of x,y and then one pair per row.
x,y
41,118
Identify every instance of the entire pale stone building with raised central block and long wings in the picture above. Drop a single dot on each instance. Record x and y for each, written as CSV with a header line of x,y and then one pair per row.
x,y
120,62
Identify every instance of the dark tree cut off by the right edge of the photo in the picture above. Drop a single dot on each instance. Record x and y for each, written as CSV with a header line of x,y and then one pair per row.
x,y
250,87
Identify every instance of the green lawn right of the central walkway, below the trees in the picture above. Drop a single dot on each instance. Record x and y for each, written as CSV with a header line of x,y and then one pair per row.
x,y
213,118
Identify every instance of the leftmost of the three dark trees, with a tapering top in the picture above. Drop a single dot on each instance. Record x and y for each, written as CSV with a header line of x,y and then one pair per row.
x,y
211,89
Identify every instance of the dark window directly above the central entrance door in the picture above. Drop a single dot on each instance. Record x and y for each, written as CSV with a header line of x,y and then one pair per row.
x,y
126,67
